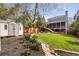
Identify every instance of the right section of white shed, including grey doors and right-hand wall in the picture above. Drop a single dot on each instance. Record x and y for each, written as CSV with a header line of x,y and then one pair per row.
x,y
15,29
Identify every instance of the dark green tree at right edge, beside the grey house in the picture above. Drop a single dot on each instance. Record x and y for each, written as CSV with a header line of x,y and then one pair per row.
x,y
74,28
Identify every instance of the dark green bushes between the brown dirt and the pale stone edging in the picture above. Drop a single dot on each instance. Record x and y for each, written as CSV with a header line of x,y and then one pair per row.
x,y
32,43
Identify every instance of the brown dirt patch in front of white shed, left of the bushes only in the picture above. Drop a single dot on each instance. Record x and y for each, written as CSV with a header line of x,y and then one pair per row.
x,y
11,47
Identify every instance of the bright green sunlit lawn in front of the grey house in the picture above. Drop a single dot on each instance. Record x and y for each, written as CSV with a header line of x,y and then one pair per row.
x,y
61,41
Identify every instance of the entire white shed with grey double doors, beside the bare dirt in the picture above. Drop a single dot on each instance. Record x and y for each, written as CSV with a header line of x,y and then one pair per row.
x,y
10,28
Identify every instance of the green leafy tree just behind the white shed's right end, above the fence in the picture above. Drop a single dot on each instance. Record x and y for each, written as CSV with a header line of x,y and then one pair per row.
x,y
26,19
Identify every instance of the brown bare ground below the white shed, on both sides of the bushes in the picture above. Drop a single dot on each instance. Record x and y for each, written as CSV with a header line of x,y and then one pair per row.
x,y
14,46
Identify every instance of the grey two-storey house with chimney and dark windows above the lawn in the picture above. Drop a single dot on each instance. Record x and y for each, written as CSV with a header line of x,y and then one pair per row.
x,y
60,23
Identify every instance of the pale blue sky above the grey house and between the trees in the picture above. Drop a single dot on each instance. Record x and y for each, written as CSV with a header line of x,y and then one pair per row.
x,y
72,8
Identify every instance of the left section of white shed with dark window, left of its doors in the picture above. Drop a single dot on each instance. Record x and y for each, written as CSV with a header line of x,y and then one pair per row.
x,y
3,28
